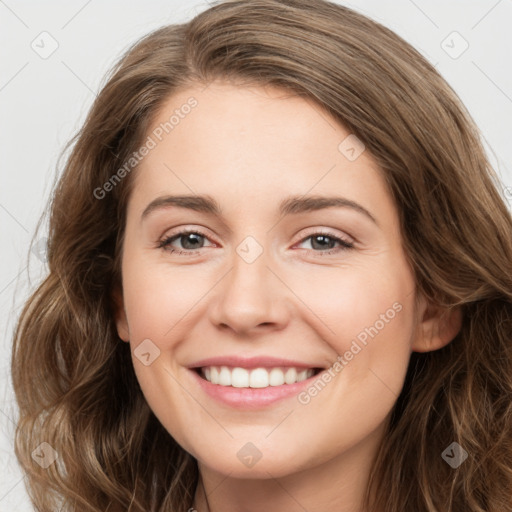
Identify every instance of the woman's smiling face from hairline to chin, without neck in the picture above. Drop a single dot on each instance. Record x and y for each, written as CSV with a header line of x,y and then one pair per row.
x,y
299,310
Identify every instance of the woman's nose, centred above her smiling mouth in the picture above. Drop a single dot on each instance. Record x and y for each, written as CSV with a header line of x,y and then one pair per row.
x,y
251,298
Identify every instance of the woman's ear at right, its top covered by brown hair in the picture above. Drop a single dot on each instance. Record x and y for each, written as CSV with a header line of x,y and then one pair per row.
x,y
437,327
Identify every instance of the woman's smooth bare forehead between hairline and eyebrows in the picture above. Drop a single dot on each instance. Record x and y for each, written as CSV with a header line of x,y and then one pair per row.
x,y
253,146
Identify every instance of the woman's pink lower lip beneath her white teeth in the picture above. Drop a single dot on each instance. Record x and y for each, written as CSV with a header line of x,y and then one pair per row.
x,y
251,398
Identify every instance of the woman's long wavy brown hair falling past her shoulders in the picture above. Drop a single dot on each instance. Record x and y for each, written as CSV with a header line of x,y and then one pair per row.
x,y
73,378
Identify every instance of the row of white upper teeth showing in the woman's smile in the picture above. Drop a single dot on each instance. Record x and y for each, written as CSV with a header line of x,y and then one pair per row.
x,y
256,378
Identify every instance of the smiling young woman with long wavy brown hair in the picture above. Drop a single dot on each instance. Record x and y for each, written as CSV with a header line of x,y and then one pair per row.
x,y
187,351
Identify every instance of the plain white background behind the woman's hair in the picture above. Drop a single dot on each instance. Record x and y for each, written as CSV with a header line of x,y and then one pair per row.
x,y
44,101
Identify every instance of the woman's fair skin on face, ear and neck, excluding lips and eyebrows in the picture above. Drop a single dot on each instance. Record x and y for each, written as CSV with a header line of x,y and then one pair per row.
x,y
249,148
